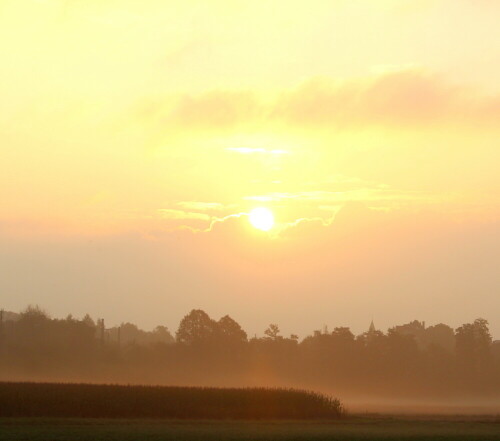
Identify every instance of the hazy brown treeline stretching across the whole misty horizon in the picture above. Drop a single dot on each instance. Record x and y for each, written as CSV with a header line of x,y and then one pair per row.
x,y
410,360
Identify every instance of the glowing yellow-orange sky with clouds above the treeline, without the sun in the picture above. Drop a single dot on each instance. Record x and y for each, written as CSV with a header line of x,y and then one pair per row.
x,y
136,136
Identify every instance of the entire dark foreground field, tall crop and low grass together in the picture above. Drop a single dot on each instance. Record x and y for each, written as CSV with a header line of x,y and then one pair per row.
x,y
81,412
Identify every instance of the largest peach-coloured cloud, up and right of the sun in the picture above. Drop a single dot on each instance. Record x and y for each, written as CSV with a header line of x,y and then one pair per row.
x,y
400,98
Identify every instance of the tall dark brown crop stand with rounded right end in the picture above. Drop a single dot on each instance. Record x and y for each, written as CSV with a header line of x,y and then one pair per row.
x,y
113,401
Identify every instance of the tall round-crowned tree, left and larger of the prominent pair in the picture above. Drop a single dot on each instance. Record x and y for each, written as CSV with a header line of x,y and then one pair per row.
x,y
196,328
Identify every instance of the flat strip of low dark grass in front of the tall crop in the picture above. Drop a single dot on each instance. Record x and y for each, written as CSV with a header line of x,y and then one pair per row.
x,y
348,429
